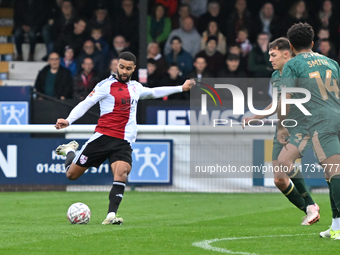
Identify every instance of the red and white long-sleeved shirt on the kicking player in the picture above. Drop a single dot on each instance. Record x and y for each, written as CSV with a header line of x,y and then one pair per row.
x,y
118,106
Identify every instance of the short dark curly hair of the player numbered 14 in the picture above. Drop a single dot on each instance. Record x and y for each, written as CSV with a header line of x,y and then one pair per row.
x,y
301,35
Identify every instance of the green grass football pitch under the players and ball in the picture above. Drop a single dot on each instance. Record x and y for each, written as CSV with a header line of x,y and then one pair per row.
x,y
161,223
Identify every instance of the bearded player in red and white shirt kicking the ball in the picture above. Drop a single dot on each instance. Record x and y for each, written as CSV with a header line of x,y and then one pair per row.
x,y
116,128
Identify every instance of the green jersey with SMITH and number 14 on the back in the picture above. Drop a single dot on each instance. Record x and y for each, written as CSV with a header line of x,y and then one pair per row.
x,y
319,75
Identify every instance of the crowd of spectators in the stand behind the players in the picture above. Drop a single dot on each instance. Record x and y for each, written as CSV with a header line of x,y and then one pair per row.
x,y
186,38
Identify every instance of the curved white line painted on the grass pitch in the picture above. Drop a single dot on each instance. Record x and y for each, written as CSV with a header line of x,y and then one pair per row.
x,y
206,243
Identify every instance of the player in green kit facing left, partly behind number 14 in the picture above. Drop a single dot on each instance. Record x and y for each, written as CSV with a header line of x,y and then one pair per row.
x,y
295,190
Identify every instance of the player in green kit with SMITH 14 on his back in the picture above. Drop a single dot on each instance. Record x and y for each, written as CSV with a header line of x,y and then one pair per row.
x,y
320,76
